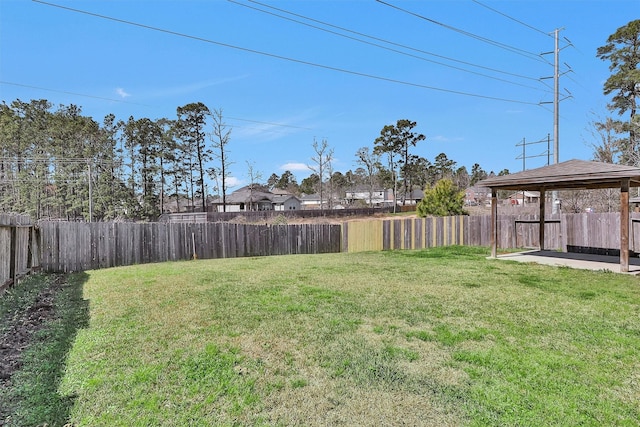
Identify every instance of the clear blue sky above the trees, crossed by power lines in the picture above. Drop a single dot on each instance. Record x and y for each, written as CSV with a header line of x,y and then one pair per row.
x,y
468,72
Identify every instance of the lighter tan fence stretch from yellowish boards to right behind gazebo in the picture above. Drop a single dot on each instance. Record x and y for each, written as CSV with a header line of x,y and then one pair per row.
x,y
565,231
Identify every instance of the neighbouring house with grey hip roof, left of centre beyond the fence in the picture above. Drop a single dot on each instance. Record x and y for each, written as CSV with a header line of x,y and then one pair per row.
x,y
257,198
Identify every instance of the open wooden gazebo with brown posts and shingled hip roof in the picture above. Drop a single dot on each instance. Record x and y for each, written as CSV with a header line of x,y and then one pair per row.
x,y
569,175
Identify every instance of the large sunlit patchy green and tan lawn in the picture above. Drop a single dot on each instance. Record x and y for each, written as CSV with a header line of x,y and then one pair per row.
x,y
435,337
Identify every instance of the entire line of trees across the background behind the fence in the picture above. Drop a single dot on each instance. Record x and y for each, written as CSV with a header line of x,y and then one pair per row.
x,y
59,163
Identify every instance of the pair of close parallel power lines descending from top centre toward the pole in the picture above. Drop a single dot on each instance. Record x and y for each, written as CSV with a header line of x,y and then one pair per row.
x,y
387,42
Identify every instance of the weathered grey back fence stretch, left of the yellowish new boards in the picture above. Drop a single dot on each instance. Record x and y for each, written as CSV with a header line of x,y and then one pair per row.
x,y
69,246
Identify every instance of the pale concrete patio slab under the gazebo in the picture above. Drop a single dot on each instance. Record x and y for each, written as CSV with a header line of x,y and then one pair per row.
x,y
573,260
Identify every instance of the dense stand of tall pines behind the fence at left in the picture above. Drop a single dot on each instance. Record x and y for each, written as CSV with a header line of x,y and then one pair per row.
x,y
58,163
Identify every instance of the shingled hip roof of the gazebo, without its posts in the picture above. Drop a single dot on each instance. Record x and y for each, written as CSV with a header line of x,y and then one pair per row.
x,y
572,174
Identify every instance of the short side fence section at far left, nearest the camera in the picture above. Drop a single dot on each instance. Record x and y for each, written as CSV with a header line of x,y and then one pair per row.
x,y
19,248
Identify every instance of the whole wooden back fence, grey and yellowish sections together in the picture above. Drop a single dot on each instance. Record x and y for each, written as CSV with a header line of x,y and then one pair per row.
x,y
69,246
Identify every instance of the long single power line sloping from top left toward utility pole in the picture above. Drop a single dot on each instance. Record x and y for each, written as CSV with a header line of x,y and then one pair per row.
x,y
284,58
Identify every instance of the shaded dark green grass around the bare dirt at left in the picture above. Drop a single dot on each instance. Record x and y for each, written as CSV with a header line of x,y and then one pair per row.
x,y
32,398
